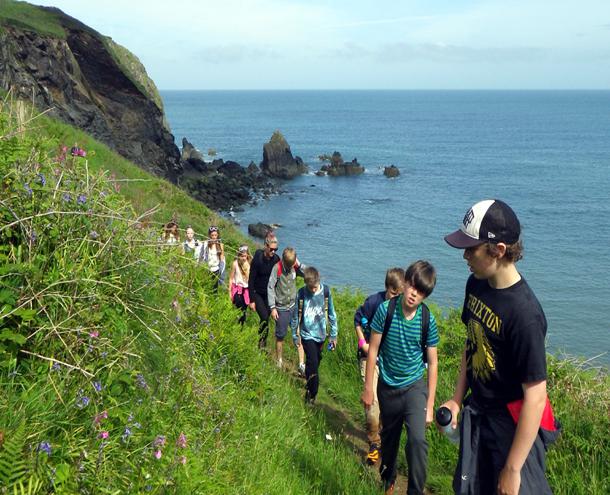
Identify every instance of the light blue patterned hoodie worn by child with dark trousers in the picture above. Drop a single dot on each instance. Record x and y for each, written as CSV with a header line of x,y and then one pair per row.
x,y
313,324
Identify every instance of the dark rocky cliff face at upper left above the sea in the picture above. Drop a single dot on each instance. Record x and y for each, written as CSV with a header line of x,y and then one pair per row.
x,y
83,77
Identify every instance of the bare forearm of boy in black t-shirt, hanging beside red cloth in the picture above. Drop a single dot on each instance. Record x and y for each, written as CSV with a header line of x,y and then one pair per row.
x,y
534,399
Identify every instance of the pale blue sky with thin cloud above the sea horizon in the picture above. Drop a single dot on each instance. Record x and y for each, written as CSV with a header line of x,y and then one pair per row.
x,y
382,44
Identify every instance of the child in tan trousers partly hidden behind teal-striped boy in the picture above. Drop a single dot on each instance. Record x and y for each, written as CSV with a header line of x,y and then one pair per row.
x,y
394,280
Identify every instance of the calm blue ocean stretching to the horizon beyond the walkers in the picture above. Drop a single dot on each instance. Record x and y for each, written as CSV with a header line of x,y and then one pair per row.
x,y
546,153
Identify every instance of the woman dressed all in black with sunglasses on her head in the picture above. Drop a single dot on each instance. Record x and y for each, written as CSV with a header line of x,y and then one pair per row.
x,y
262,264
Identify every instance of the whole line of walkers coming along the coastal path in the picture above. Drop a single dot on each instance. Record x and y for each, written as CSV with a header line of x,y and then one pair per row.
x,y
499,409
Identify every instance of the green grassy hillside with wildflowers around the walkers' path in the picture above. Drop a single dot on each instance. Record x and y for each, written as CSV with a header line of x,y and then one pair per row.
x,y
122,372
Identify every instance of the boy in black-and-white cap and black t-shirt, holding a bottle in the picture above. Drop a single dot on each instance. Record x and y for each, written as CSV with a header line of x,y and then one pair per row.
x,y
507,420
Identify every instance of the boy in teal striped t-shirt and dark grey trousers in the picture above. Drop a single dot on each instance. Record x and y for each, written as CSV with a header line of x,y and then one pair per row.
x,y
398,337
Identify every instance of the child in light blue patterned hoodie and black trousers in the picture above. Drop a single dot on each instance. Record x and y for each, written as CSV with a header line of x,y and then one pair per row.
x,y
314,313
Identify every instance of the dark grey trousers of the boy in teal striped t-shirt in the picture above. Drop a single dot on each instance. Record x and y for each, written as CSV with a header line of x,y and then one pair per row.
x,y
406,406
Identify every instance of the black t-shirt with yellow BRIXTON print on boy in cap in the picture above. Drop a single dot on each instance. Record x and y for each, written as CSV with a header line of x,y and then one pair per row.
x,y
505,341
